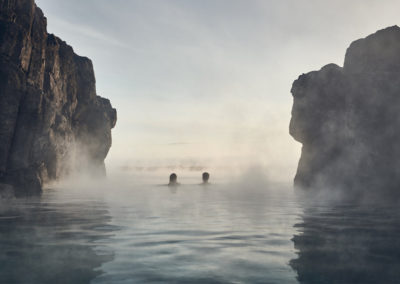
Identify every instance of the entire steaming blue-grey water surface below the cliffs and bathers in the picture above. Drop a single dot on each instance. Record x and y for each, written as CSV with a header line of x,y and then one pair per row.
x,y
195,234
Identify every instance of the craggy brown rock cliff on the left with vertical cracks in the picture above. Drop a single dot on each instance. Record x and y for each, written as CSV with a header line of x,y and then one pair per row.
x,y
51,120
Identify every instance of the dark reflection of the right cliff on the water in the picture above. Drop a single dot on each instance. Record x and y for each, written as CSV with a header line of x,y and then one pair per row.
x,y
348,245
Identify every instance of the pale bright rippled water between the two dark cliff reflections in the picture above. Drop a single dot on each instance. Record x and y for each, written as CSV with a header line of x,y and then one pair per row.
x,y
194,234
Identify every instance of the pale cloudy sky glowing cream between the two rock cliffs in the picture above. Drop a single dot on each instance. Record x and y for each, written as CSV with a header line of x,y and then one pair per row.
x,y
206,83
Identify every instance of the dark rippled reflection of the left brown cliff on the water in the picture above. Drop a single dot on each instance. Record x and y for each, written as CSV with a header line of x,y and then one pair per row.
x,y
47,240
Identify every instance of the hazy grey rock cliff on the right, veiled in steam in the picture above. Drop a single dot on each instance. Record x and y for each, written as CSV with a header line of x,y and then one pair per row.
x,y
348,119
